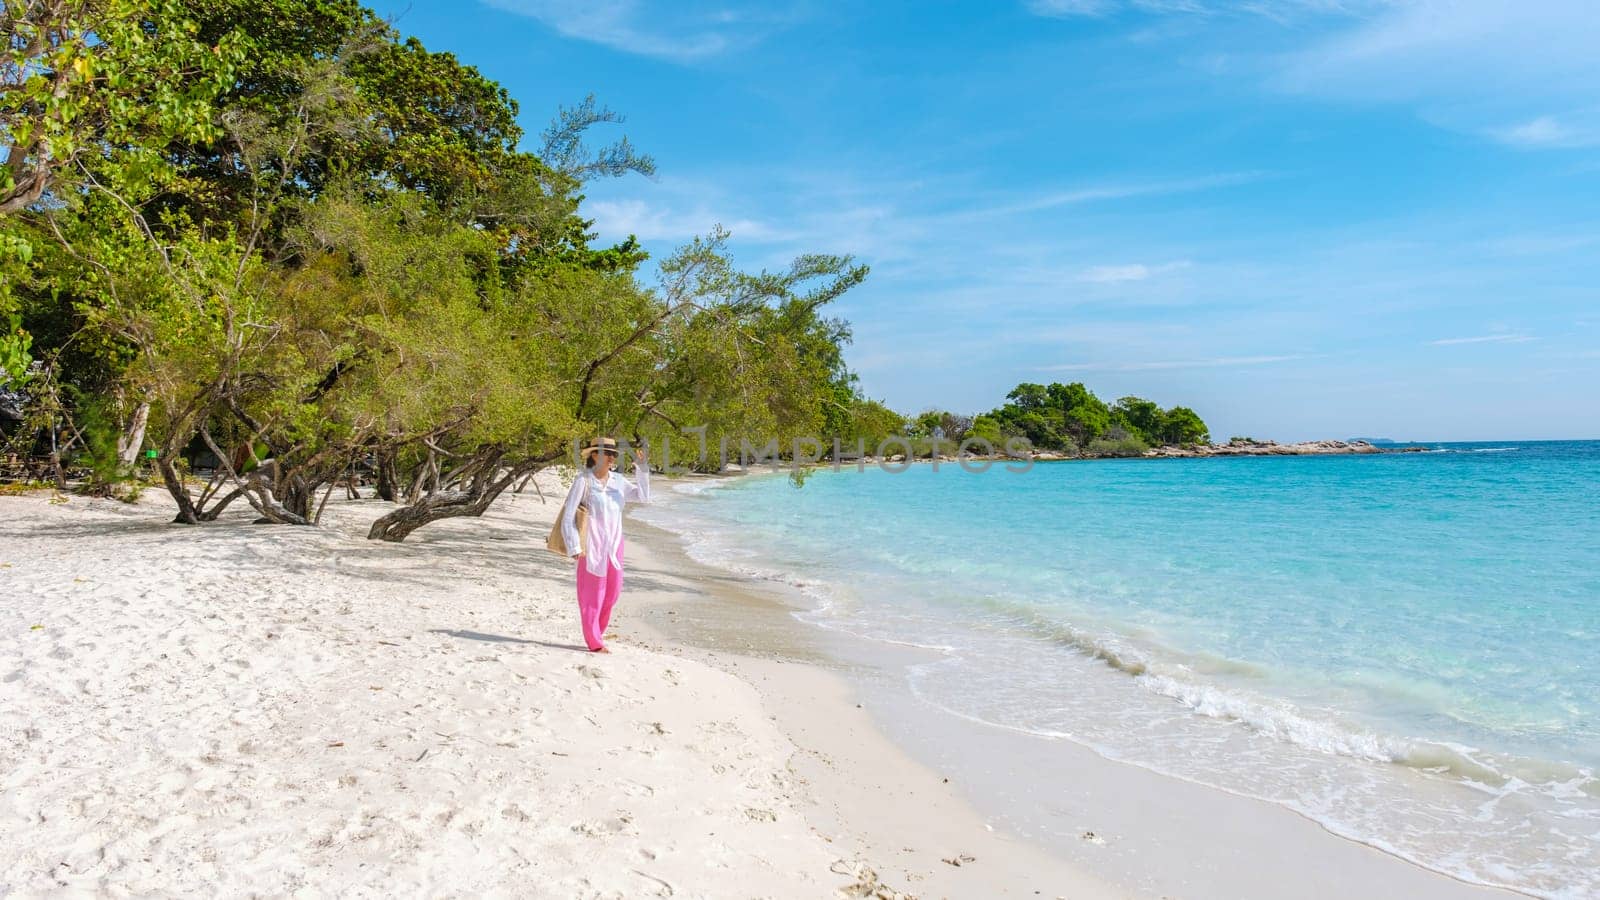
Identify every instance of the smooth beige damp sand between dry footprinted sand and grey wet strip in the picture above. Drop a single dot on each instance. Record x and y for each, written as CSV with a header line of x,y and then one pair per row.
x,y
910,819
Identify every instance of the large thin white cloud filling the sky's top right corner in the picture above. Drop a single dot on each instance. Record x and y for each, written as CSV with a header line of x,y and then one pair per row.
x,y
1522,74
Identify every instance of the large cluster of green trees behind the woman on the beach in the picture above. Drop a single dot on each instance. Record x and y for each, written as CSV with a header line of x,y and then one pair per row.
x,y
286,251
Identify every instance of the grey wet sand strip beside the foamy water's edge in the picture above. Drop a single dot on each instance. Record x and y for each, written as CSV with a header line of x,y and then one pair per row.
x,y
1135,829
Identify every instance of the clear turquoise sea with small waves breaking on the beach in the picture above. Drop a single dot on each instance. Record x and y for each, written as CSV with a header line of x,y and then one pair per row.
x,y
1404,648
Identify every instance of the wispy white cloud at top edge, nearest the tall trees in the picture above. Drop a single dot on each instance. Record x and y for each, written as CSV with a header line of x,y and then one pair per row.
x,y
681,31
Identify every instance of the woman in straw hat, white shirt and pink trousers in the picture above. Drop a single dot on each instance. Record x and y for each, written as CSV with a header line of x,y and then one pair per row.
x,y
604,492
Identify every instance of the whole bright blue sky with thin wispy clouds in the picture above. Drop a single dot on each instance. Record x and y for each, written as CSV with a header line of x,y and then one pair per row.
x,y
1303,219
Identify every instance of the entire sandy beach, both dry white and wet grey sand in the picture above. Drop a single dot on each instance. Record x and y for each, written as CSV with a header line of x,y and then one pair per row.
x,y
236,709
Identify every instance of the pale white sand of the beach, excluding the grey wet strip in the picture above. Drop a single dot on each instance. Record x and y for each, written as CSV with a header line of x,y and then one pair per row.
x,y
236,710
